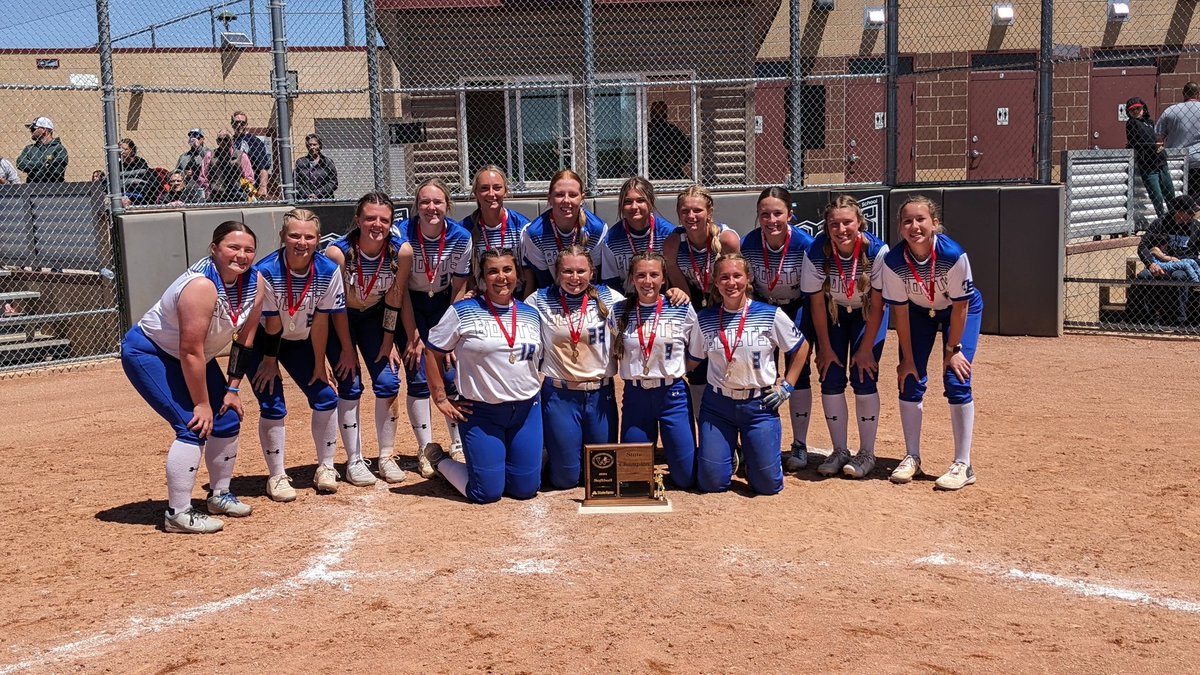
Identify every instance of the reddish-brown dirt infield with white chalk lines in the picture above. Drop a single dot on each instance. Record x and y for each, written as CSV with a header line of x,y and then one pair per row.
x,y
1076,552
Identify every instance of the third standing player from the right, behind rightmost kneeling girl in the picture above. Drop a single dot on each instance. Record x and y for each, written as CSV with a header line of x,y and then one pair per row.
x,y
776,253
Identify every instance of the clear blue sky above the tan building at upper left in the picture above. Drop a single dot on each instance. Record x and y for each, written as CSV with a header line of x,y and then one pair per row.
x,y
49,25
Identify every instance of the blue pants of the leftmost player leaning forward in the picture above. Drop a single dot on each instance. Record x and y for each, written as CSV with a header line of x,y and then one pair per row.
x,y
159,378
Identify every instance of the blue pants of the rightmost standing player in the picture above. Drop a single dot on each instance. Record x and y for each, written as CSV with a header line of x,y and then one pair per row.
x,y
925,333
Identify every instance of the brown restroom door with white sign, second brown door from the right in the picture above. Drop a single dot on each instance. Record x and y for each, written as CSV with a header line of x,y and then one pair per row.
x,y
1003,126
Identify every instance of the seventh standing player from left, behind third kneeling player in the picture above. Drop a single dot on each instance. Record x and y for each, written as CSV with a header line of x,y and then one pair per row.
x,y
639,231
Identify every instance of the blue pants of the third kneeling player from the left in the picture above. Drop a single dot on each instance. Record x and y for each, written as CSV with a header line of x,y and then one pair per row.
x,y
646,413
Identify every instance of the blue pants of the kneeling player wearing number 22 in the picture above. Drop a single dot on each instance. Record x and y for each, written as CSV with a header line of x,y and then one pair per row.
x,y
572,420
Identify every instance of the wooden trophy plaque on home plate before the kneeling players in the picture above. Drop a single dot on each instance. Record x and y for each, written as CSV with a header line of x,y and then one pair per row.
x,y
621,479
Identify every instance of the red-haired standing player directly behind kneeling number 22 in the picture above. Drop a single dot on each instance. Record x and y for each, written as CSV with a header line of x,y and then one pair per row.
x,y
566,224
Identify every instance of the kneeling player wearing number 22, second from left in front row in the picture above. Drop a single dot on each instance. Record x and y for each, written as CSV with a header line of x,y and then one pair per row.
x,y
579,401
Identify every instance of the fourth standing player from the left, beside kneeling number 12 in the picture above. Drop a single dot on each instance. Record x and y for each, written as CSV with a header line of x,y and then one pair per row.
x,y
435,264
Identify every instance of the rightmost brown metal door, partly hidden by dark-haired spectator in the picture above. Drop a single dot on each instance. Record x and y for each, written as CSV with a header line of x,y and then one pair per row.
x,y
1111,89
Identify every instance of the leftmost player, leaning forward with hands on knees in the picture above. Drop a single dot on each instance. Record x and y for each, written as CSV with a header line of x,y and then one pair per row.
x,y
171,360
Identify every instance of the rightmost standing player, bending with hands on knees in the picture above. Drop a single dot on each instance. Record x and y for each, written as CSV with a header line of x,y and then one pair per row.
x,y
928,283
